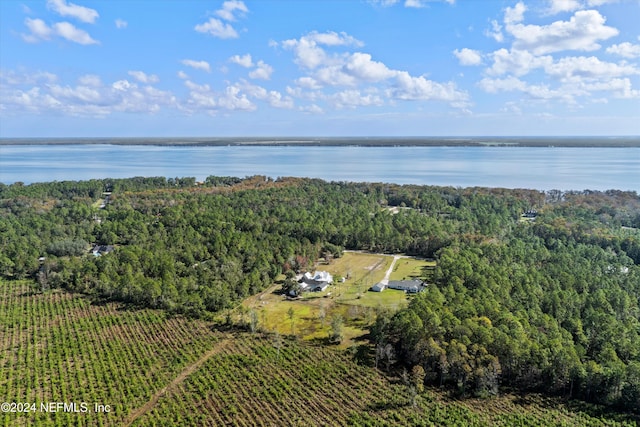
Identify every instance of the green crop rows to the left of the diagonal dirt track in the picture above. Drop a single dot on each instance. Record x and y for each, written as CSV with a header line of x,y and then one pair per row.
x,y
58,347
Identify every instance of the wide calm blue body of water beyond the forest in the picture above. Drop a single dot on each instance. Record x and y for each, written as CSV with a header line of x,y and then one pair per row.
x,y
542,168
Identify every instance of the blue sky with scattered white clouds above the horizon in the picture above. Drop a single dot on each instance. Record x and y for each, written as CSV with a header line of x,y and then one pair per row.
x,y
319,67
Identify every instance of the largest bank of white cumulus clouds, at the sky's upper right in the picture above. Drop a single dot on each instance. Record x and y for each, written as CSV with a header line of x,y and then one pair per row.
x,y
567,79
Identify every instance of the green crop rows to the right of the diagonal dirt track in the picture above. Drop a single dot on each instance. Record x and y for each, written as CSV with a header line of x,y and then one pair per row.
x,y
252,383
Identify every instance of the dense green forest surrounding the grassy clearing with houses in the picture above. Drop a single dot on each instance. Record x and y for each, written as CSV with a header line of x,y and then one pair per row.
x,y
550,302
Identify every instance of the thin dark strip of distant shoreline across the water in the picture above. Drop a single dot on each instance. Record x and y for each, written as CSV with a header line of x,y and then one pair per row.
x,y
489,141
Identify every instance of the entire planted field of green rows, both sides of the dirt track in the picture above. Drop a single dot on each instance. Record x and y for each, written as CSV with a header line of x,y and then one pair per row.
x,y
155,370
